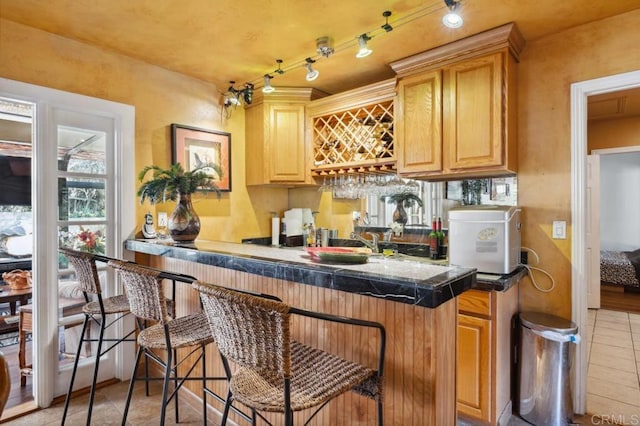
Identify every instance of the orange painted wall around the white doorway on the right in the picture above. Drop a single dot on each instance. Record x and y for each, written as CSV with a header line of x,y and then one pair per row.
x,y
547,69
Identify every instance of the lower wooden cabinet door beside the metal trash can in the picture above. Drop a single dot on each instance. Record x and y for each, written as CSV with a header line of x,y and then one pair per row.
x,y
474,367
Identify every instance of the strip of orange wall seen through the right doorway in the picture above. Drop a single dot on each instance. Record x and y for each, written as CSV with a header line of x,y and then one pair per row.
x,y
603,134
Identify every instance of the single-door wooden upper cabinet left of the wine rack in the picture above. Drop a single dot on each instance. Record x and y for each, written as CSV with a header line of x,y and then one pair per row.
x,y
275,131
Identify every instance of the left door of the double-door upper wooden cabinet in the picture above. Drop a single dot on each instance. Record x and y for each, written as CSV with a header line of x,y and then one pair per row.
x,y
419,123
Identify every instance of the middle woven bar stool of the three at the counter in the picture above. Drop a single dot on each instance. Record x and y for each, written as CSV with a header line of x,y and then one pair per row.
x,y
148,303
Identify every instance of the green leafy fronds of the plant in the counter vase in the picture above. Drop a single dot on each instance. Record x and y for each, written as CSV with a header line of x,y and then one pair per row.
x,y
167,184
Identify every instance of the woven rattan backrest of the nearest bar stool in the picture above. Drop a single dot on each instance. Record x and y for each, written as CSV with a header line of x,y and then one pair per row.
x,y
251,331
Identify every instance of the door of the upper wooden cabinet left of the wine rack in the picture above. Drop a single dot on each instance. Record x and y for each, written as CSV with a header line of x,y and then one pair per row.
x,y
286,143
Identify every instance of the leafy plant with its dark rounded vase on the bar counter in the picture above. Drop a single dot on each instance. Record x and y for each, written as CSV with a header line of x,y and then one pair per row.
x,y
173,184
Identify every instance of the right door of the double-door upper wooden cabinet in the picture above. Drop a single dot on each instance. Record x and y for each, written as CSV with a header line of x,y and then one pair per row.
x,y
473,104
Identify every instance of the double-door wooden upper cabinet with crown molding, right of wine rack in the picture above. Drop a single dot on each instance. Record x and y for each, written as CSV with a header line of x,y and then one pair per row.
x,y
456,108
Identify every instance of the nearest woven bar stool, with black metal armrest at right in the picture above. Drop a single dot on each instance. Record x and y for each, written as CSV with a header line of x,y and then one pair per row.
x,y
276,373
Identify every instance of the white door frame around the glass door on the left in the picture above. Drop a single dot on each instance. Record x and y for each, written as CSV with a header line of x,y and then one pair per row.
x,y
45,361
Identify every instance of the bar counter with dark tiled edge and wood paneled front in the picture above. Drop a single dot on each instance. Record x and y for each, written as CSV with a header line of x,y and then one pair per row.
x,y
415,301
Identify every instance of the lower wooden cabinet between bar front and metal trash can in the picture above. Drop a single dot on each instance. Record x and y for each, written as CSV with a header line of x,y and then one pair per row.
x,y
484,355
